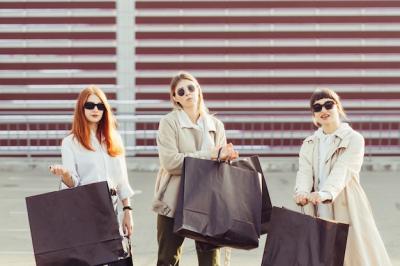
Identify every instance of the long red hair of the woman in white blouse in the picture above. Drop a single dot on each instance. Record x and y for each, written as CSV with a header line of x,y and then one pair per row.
x,y
106,129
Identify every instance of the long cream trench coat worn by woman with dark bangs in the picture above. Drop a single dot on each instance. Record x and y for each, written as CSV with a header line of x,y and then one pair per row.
x,y
350,204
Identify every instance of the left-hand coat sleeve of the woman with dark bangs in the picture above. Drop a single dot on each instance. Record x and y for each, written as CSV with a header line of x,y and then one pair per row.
x,y
304,177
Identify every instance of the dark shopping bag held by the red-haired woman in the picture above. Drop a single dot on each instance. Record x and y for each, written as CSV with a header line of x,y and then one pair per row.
x,y
76,226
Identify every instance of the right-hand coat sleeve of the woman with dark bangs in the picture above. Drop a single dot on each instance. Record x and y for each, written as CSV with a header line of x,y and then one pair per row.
x,y
346,166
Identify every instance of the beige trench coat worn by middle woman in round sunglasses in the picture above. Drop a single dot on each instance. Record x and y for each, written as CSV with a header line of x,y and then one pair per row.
x,y
177,138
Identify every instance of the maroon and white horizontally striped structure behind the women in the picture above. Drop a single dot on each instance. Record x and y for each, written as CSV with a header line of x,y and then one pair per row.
x,y
257,61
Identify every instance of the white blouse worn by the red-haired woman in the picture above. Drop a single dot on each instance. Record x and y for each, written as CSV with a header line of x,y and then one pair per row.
x,y
88,167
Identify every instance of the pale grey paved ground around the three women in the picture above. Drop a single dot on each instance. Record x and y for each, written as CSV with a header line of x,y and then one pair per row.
x,y
382,189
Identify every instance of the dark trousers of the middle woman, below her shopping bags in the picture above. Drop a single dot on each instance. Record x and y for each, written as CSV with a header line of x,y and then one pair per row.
x,y
170,246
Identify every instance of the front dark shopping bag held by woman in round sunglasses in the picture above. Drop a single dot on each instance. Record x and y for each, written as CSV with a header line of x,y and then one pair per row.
x,y
219,204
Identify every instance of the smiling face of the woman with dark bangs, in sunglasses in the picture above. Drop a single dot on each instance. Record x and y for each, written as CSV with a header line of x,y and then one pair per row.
x,y
325,111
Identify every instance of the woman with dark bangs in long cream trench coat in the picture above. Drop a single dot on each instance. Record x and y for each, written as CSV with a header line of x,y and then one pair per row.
x,y
328,177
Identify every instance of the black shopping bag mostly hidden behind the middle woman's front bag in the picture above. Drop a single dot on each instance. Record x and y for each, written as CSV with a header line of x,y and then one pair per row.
x,y
253,163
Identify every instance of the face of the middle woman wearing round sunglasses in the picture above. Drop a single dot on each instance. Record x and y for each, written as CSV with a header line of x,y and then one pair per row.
x,y
187,94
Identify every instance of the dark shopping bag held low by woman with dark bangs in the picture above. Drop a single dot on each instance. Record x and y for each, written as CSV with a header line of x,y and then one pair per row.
x,y
298,239
